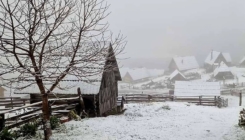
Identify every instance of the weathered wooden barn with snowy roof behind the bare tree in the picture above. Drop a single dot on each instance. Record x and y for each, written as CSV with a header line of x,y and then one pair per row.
x,y
99,91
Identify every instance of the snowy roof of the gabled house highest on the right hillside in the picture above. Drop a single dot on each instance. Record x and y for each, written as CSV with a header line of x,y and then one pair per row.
x,y
213,55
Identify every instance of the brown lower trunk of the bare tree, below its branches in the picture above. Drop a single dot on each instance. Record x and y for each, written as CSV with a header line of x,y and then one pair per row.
x,y
46,118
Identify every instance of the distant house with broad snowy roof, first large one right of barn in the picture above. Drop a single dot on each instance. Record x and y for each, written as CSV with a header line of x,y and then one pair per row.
x,y
183,63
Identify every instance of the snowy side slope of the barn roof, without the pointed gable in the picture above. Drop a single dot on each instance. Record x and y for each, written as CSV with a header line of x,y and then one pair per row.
x,y
88,84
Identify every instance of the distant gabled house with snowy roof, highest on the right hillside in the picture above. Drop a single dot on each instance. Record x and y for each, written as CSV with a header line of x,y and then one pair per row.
x,y
214,59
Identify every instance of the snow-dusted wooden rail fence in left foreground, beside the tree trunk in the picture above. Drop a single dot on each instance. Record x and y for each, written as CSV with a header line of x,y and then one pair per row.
x,y
34,111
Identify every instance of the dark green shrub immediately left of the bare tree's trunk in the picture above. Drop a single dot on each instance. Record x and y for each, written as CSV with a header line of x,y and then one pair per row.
x,y
29,129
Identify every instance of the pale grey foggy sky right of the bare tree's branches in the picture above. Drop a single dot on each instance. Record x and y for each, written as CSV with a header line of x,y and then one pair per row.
x,y
160,29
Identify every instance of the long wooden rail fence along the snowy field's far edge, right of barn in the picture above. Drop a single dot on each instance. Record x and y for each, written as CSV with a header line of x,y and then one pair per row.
x,y
199,100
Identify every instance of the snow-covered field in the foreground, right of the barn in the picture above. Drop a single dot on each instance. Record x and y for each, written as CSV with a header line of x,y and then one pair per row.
x,y
160,121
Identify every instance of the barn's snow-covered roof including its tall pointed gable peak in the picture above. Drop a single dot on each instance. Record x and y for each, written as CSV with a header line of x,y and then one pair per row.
x,y
89,84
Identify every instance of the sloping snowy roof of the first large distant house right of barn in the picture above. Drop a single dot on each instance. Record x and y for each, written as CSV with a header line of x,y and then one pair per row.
x,y
186,63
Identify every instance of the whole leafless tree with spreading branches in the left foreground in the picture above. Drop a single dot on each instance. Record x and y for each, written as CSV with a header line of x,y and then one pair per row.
x,y
46,40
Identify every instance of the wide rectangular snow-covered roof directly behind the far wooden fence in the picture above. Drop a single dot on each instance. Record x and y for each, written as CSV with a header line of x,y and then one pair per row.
x,y
186,88
